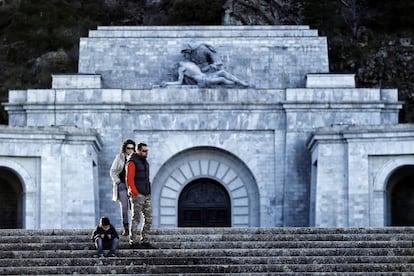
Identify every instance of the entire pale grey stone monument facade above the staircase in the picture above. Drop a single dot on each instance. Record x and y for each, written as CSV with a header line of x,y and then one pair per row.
x,y
297,146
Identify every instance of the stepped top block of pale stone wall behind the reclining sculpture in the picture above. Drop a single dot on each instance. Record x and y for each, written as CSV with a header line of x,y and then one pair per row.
x,y
136,57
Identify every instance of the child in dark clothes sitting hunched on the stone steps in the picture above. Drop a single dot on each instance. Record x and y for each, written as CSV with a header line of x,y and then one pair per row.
x,y
105,238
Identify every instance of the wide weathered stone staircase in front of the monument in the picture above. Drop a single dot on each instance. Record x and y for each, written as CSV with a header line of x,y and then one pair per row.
x,y
216,251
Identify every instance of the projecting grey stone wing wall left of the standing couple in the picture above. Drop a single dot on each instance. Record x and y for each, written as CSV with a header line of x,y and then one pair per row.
x,y
56,169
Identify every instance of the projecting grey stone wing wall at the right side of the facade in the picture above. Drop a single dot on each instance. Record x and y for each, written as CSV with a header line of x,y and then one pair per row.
x,y
352,168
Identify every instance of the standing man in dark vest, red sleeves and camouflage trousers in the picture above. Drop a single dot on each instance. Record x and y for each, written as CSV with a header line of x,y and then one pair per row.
x,y
139,189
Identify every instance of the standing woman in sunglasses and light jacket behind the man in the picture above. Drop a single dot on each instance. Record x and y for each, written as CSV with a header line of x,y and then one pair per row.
x,y
119,189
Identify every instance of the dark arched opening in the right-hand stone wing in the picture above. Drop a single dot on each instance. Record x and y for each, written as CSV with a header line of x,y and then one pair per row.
x,y
401,191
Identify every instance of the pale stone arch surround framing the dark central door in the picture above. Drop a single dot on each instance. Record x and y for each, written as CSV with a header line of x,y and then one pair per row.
x,y
209,163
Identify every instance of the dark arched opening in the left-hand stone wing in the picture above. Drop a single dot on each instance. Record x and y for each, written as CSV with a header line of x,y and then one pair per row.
x,y
11,200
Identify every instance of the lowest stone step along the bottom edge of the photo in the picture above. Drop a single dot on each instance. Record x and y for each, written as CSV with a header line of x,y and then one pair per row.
x,y
217,268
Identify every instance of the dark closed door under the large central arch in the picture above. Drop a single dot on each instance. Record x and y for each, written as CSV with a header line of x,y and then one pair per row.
x,y
204,203
